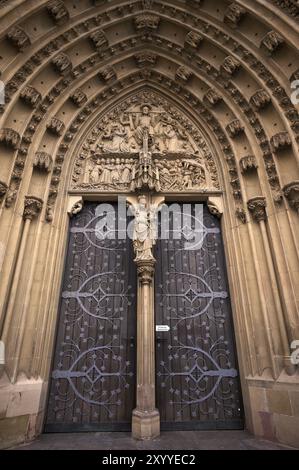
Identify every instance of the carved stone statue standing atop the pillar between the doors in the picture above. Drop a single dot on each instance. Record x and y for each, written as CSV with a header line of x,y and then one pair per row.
x,y
144,233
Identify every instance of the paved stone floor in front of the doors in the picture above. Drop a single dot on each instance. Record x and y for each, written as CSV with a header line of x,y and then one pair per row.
x,y
177,440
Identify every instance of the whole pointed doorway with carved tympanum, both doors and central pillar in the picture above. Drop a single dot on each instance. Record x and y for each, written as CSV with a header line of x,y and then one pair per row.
x,y
143,147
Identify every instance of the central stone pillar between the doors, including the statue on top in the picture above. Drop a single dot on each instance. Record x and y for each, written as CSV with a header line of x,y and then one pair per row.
x,y
145,418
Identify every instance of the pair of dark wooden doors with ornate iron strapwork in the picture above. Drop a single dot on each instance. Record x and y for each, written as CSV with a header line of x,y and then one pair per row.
x,y
93,378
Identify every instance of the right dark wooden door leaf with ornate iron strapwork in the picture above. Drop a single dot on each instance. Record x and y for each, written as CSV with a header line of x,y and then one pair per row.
x,y
197,378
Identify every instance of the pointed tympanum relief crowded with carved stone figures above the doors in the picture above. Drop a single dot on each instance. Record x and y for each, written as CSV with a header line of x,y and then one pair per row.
x,y
145,142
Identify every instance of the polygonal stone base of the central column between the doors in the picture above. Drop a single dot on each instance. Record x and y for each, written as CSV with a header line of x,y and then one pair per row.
x,y
145,425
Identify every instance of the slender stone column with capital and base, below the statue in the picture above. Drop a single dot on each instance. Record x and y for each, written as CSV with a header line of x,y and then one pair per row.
x,y
146,418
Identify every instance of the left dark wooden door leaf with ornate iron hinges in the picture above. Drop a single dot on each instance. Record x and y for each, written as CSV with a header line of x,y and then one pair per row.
x,y
93,377
